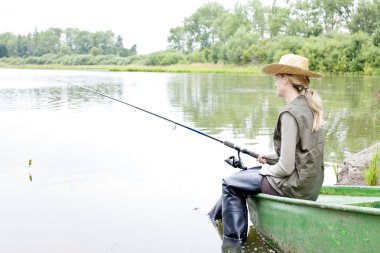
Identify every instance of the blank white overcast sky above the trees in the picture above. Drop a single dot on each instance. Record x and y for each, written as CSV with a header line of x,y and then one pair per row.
x,y
145,23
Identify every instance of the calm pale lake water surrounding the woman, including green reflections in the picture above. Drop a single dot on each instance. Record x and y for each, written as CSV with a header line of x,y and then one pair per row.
x,y
109,178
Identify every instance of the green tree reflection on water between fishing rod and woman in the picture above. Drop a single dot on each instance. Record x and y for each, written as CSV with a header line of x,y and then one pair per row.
x,y
238,106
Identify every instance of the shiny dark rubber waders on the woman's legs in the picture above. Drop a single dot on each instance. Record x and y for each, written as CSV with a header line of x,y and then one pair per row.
x,y
232,206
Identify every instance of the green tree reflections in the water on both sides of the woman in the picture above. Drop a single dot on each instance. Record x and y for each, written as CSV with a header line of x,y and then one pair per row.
x,y
246,108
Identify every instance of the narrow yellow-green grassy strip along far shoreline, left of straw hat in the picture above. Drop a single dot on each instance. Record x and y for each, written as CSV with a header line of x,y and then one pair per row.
x,y
177,68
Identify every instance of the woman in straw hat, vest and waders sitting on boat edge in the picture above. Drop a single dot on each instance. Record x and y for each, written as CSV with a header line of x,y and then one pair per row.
x,y
298,144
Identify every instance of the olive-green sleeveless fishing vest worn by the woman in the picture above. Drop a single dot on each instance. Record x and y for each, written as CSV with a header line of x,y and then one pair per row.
x,y
306,180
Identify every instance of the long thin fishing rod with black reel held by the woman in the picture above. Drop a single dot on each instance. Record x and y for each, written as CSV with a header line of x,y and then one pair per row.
x,y
236,163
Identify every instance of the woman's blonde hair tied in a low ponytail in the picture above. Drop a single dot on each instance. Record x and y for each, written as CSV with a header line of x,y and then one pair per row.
x,y
301,84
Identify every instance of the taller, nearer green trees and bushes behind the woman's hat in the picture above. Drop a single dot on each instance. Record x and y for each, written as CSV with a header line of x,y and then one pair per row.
x,y
339,35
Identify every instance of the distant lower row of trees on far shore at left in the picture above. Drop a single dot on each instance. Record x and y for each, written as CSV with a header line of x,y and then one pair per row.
x,y
70,41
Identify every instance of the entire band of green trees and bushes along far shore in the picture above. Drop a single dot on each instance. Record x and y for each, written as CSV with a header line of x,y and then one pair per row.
x,y
338,36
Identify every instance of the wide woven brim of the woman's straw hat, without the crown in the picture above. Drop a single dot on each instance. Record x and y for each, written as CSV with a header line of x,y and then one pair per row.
x,y
273,69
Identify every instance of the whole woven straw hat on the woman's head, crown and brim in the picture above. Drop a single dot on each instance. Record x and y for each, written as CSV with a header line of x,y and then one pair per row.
x,y
291,64
